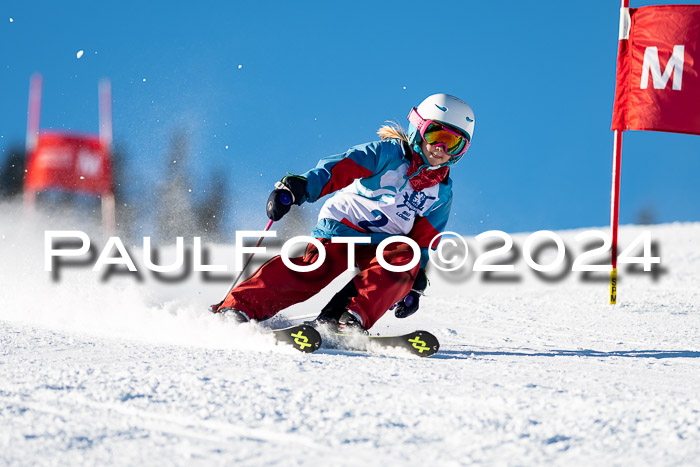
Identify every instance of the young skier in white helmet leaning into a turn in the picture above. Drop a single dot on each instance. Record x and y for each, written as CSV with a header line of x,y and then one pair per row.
x,y
397,186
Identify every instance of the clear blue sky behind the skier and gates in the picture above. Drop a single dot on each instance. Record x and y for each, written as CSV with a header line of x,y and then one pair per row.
x,y
283,84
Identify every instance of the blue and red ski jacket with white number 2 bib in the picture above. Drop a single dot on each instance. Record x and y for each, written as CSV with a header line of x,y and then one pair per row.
x,y
373,196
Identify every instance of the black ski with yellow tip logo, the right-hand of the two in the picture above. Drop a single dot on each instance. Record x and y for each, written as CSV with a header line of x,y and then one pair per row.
x,y
420,343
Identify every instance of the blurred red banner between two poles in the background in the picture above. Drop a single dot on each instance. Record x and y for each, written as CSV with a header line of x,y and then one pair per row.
x,y
77,163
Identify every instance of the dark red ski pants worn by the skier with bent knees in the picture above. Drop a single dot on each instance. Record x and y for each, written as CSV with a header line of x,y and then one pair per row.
x,y
274,286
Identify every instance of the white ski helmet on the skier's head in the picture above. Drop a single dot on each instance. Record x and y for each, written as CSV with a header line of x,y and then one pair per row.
x,y
442,108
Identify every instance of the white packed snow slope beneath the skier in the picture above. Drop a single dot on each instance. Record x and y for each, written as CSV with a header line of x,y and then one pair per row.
x,y
532,369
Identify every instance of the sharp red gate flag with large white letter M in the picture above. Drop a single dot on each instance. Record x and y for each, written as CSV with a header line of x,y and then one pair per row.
x,y
658,79
